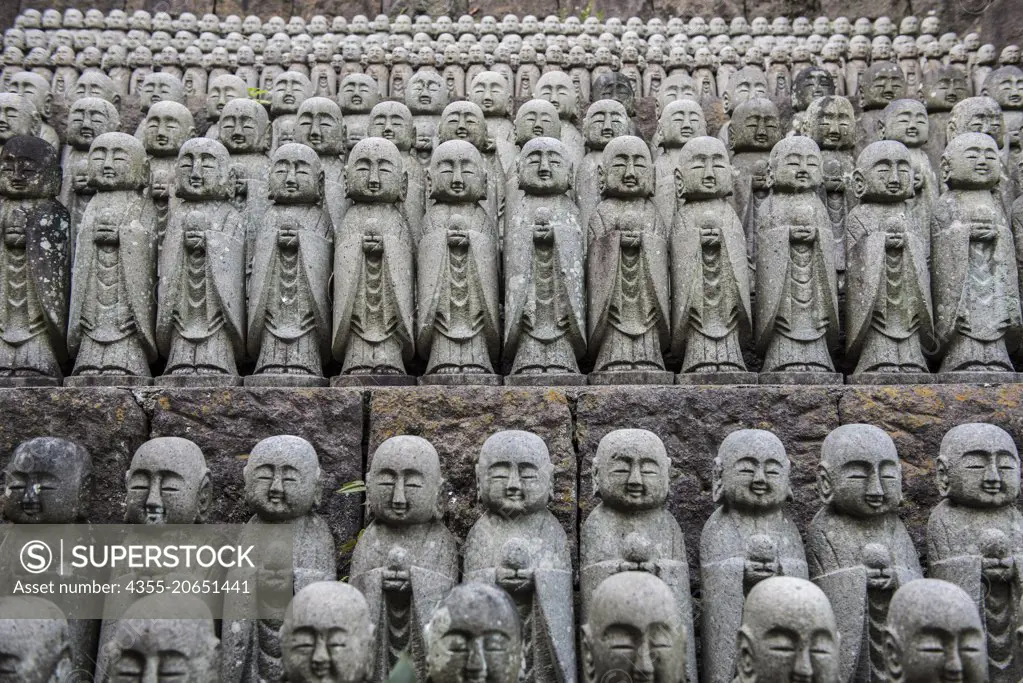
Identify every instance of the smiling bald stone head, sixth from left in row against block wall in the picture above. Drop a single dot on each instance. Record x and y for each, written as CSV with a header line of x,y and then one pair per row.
x,y
632,471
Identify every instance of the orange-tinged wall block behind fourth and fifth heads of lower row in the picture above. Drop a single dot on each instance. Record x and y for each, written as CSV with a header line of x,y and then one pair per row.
x,y
458,421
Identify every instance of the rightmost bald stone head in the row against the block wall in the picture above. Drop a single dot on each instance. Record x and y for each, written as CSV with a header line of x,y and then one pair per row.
x,y
980,467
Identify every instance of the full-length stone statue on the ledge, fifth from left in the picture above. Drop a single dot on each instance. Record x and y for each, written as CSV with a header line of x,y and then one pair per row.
x,y
374,335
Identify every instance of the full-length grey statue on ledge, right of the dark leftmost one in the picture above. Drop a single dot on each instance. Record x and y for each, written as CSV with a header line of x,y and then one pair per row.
x,y
114,280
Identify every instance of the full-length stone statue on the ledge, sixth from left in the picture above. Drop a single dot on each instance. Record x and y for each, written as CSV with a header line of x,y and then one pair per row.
x,y
459,329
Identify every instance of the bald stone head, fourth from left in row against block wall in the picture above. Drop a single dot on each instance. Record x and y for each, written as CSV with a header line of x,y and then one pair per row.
x,y
405,481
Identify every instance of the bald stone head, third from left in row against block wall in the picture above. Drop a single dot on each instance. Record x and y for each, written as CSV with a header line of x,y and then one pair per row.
x,y
283,474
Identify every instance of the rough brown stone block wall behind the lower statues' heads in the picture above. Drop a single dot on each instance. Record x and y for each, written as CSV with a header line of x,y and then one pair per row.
x,y
347,425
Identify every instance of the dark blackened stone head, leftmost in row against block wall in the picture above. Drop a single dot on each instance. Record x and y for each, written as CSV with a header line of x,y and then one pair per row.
x,y
47,482
